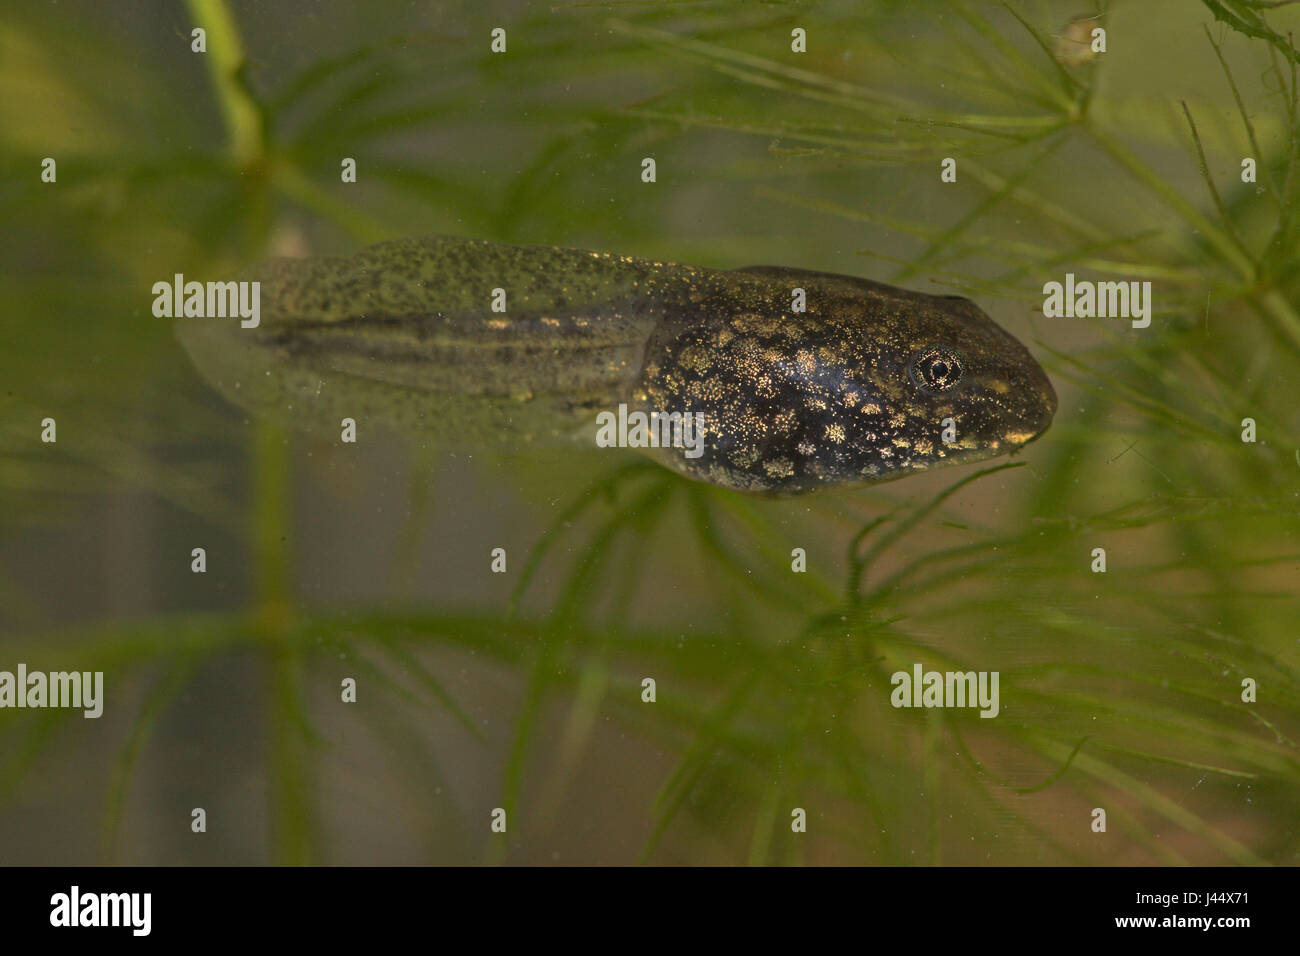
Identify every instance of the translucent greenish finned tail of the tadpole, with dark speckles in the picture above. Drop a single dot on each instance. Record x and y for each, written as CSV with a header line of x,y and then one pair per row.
x,y
440,332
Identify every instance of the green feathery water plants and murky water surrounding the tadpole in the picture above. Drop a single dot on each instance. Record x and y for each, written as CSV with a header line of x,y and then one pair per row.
x,y
1121,690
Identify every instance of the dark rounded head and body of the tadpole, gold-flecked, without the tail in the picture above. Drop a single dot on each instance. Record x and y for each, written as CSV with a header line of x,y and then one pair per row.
x,y
869,384
